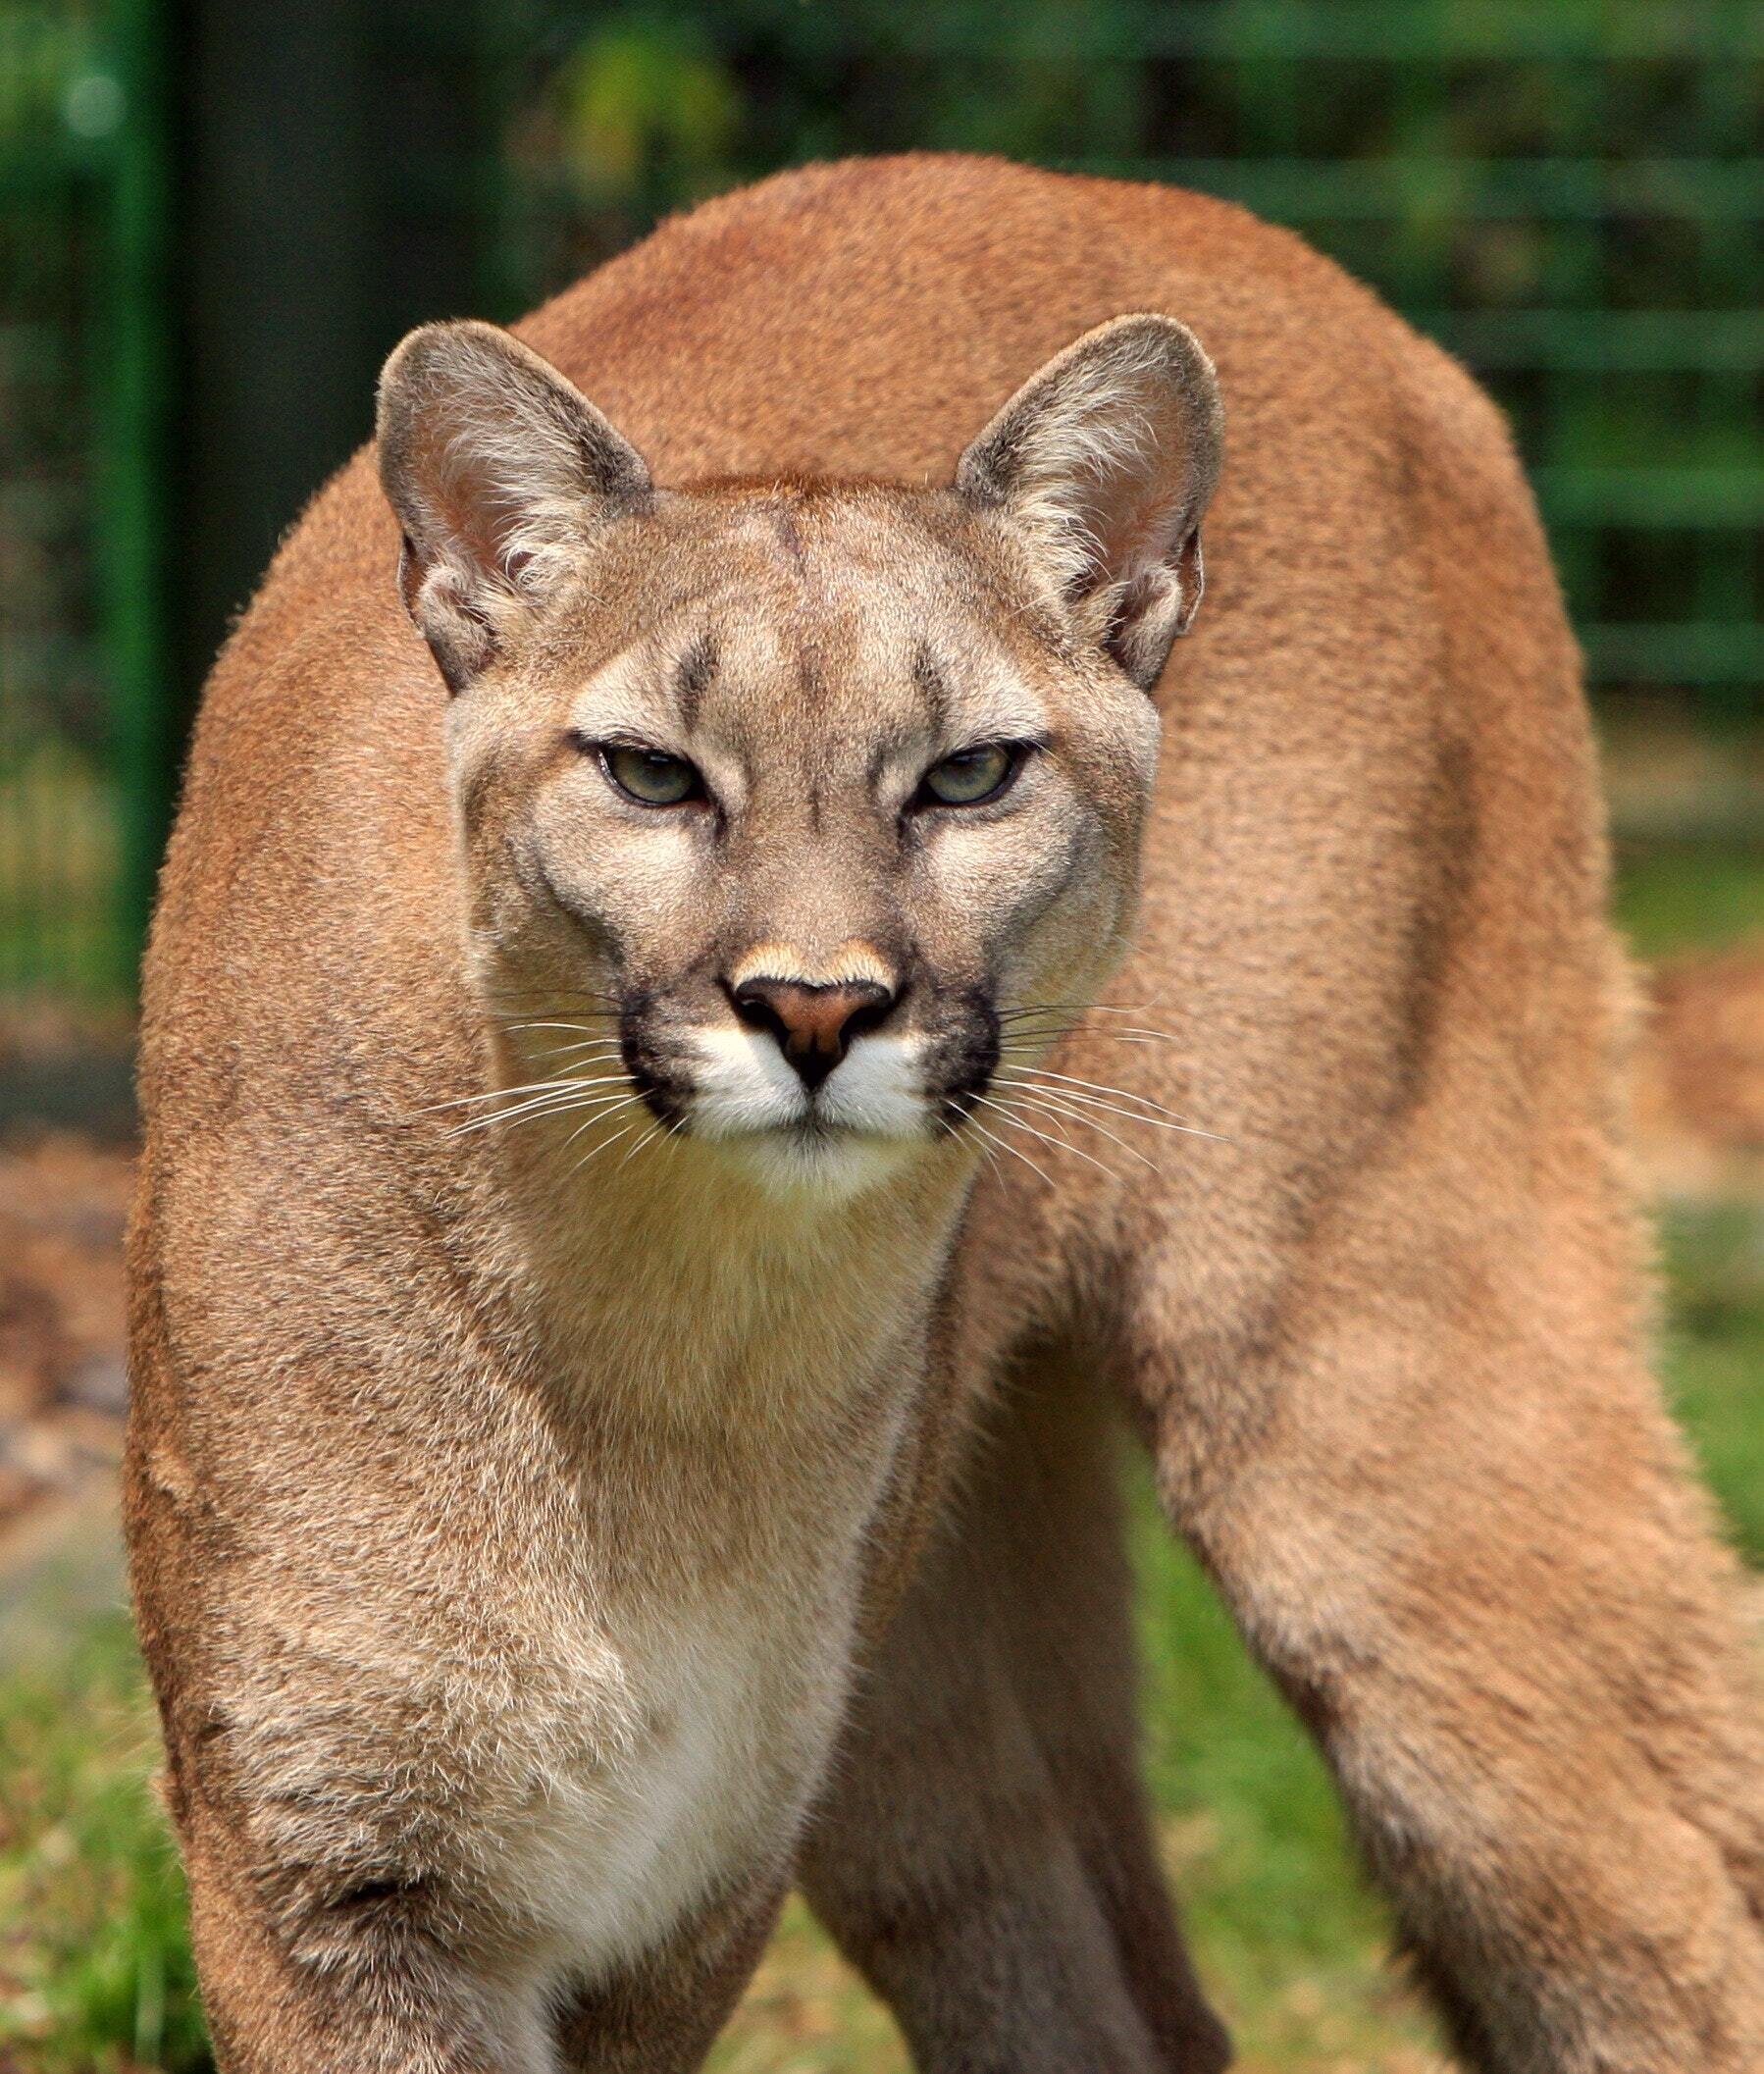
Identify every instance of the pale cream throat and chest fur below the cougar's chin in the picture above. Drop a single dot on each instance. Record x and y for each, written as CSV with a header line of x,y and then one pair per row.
x,y
689,1718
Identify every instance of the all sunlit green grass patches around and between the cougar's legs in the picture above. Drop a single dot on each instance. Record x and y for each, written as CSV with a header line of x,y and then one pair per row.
x,y
94,1971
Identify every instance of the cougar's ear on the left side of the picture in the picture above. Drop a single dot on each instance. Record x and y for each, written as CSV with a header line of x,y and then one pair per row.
x,y
501,472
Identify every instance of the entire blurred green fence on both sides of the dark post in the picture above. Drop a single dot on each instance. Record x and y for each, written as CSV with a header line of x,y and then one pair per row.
x,y
1570,194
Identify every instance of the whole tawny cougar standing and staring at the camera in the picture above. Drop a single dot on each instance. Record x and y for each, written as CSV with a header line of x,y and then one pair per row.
x,y
720,1013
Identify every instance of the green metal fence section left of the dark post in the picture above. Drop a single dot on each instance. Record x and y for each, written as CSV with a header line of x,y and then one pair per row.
x,y
84,306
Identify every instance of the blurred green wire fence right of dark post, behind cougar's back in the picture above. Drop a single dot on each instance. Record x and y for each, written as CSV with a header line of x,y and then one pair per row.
x,y
1568,194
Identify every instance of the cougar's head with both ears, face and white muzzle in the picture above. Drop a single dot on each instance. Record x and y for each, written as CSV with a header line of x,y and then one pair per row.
x,y
797,804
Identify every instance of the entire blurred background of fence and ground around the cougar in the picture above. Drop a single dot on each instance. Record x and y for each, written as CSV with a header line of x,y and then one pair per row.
x,y
215,221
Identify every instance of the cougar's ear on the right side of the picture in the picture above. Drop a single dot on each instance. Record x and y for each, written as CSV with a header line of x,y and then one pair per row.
x,y
1108,461
